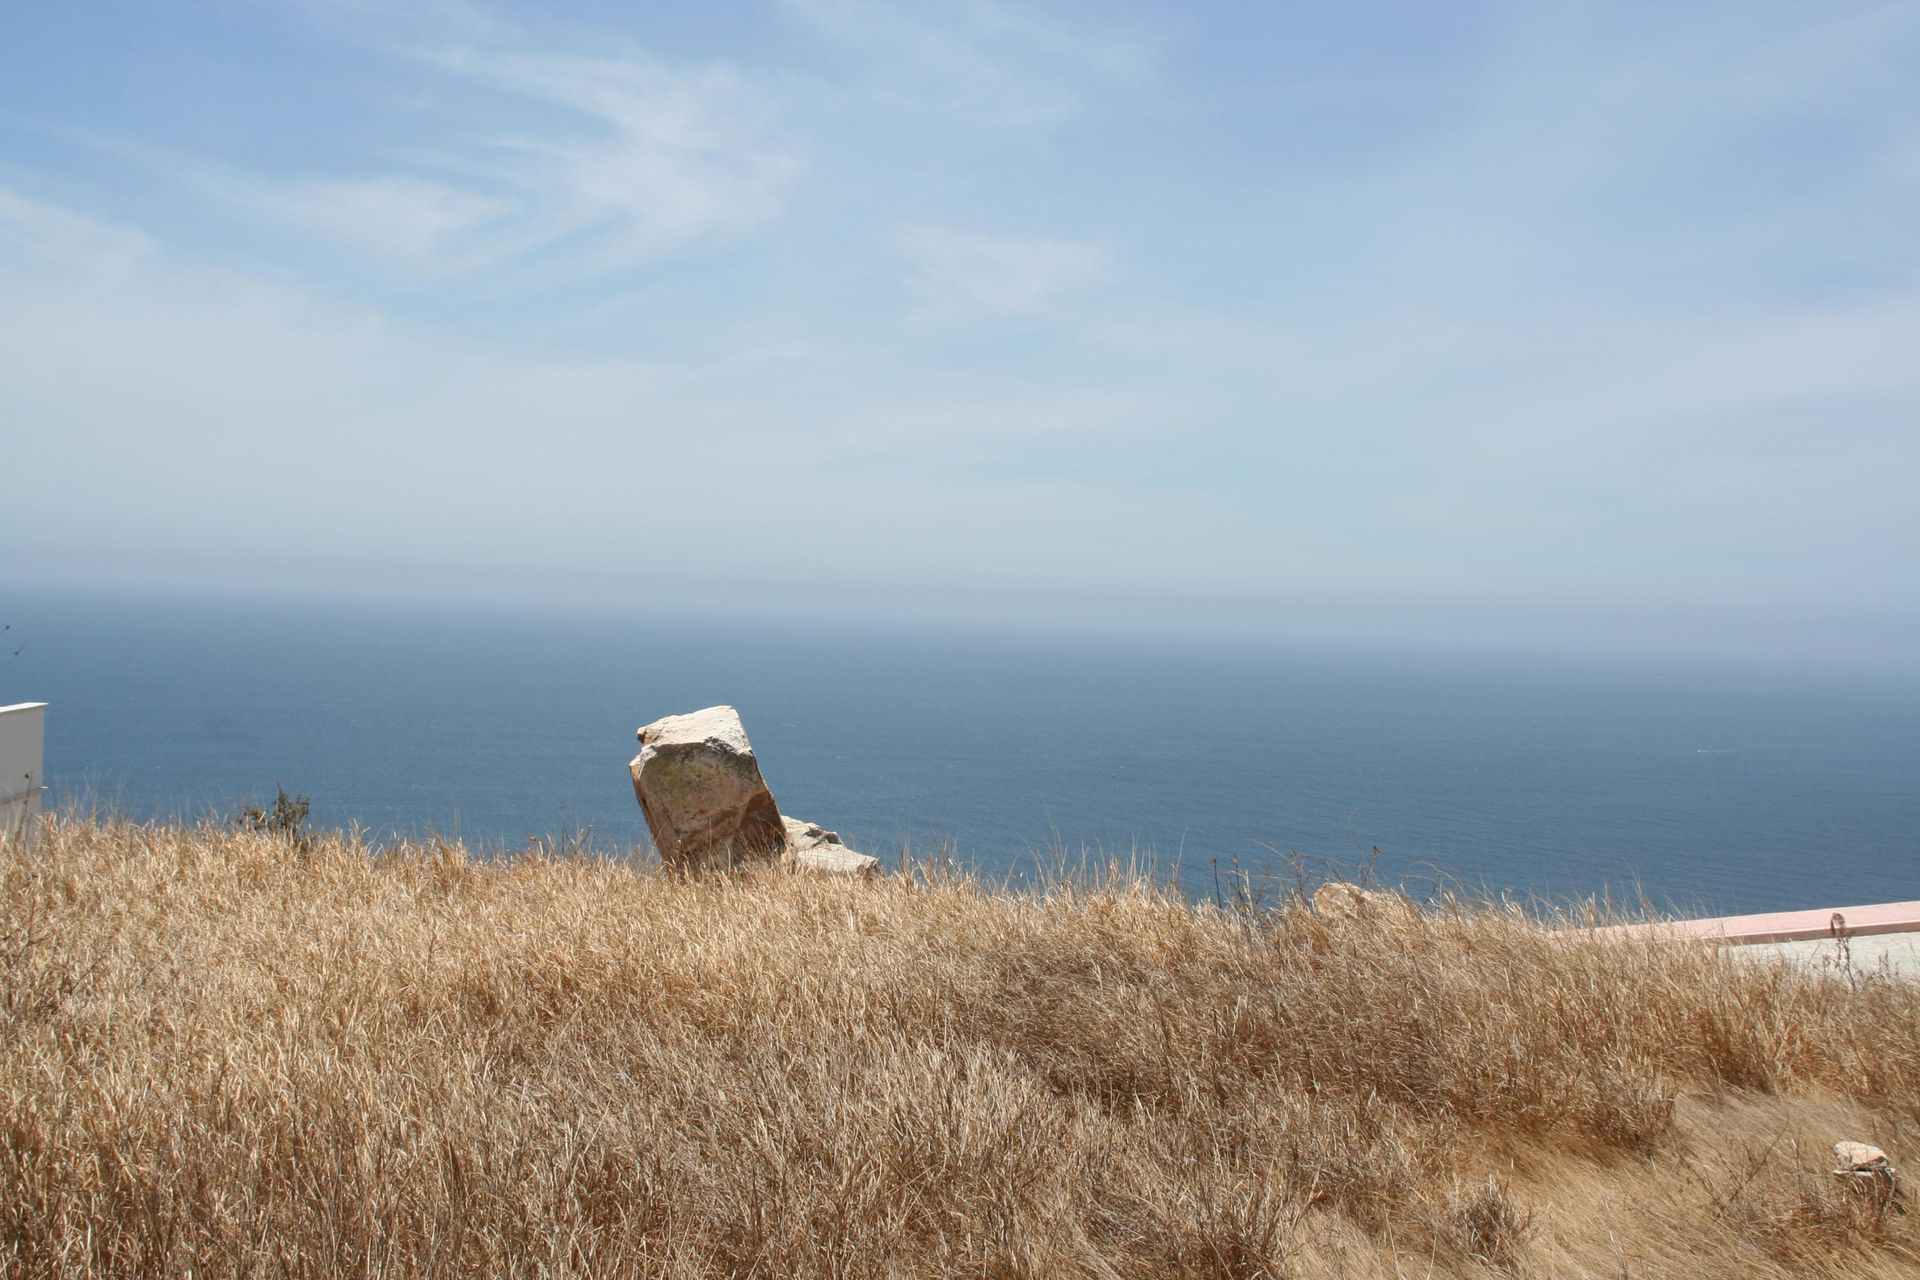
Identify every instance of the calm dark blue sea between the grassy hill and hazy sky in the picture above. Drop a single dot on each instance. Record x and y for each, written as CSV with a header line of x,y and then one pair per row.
x,y
1708,790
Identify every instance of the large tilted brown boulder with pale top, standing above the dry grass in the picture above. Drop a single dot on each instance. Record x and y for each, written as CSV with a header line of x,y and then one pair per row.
x,y
702,792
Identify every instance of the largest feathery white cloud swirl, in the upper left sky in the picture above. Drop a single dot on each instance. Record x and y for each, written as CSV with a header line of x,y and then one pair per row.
x,y
615,158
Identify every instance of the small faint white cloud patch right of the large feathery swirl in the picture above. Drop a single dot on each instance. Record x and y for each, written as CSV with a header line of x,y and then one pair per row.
x,y
1003,273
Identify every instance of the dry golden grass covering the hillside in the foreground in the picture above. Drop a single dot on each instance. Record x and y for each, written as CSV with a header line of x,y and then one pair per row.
x,y
228,1056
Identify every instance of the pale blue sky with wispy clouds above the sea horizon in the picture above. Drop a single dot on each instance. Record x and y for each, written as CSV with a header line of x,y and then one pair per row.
x,y
1491,323
